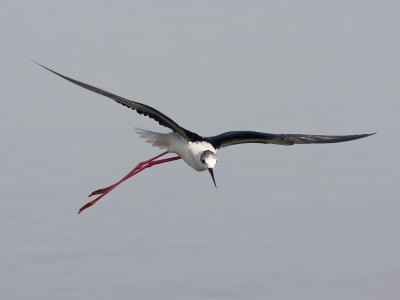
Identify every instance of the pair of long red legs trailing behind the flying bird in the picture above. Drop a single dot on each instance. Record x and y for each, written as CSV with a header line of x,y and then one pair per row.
x,y
139,168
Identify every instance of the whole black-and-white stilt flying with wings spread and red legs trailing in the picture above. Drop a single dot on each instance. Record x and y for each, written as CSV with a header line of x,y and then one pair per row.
x,y
197,151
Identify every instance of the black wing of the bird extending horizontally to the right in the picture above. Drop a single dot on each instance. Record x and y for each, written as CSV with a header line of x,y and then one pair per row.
x,y
241,137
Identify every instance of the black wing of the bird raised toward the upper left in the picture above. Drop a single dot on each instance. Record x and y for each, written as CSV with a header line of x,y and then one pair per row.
x,y
139,107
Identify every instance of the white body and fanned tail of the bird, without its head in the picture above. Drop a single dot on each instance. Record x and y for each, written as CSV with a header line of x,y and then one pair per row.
x,y
190,152
